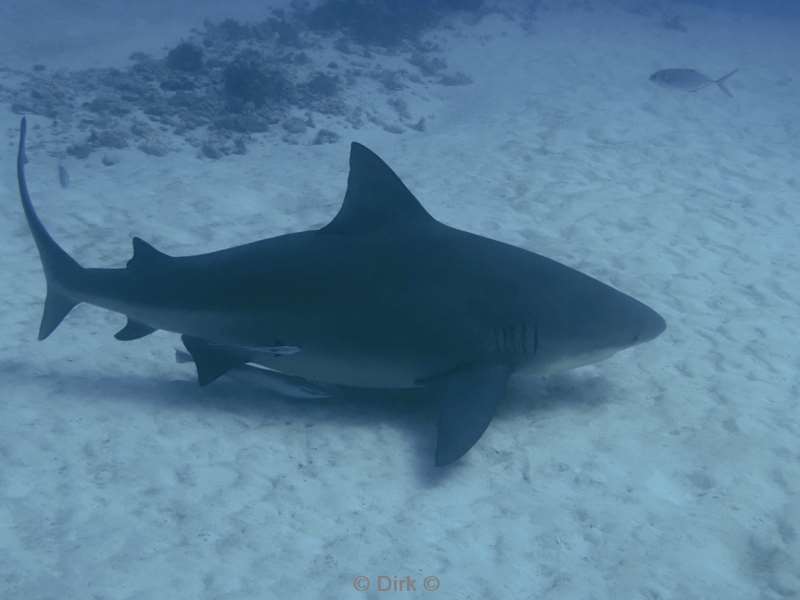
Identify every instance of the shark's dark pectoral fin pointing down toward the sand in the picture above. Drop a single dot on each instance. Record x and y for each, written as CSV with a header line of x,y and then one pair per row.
x,y
468,401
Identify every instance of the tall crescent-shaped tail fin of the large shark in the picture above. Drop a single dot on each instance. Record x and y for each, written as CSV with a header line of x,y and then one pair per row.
x,y
60,269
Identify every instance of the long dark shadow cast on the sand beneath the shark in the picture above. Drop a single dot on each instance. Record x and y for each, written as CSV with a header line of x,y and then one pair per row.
x,y
413,412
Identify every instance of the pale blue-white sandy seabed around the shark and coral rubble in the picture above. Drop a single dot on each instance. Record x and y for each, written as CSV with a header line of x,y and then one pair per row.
x,y
669,471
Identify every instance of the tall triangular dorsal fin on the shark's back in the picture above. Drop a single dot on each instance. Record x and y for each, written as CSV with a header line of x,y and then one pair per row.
x,y
375,198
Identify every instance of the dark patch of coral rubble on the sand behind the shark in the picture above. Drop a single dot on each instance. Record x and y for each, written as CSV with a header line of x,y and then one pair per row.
x,y
231,80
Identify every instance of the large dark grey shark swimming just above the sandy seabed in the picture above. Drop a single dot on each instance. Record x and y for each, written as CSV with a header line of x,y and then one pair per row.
x,y
383,296
